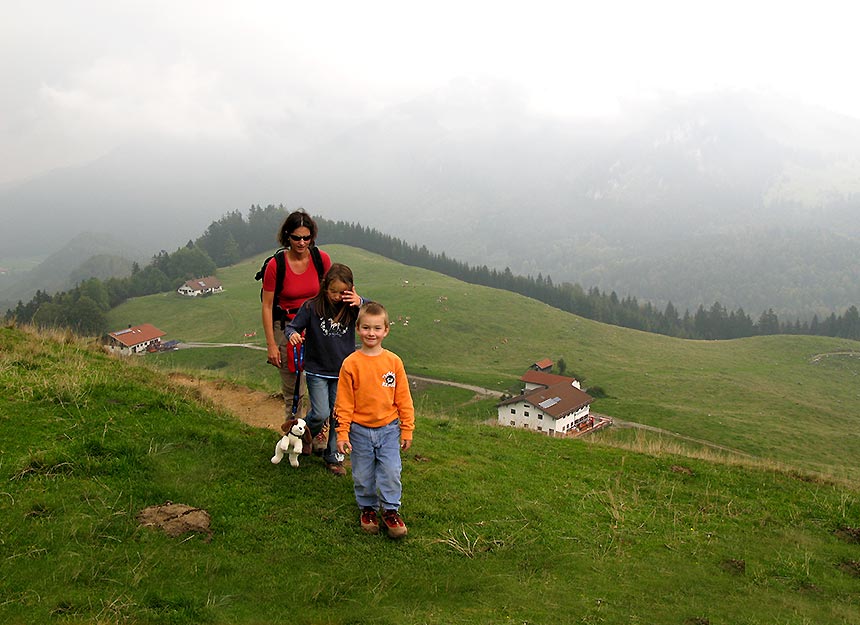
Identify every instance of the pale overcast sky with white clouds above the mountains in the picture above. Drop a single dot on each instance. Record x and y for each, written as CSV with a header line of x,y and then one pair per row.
x,y
80,77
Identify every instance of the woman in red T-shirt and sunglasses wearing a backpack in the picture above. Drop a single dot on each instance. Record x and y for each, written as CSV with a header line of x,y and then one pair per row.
x,y
301,282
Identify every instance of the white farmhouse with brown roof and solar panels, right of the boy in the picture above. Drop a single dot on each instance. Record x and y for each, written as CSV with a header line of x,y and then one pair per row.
x,y
552,404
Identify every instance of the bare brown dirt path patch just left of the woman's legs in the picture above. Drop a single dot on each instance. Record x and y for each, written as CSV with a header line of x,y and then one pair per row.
x,y
256,408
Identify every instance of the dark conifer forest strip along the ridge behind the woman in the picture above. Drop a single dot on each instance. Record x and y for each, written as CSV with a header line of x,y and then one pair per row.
x,y
235,236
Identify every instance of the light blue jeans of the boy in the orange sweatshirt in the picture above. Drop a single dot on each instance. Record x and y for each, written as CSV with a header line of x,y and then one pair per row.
x,y
376,465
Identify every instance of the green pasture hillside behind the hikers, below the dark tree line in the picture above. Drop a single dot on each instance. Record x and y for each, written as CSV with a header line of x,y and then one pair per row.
x,y
791,399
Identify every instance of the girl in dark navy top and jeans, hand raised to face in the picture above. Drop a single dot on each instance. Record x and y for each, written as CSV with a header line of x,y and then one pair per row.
x,y
328,323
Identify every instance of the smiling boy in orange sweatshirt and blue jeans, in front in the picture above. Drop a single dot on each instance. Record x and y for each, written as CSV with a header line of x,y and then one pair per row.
x,y
375,418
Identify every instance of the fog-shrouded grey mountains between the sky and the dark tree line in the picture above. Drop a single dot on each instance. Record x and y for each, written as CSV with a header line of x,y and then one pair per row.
x,y
655,204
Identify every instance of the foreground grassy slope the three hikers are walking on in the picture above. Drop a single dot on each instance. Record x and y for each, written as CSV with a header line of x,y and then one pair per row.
x,y
505,526
